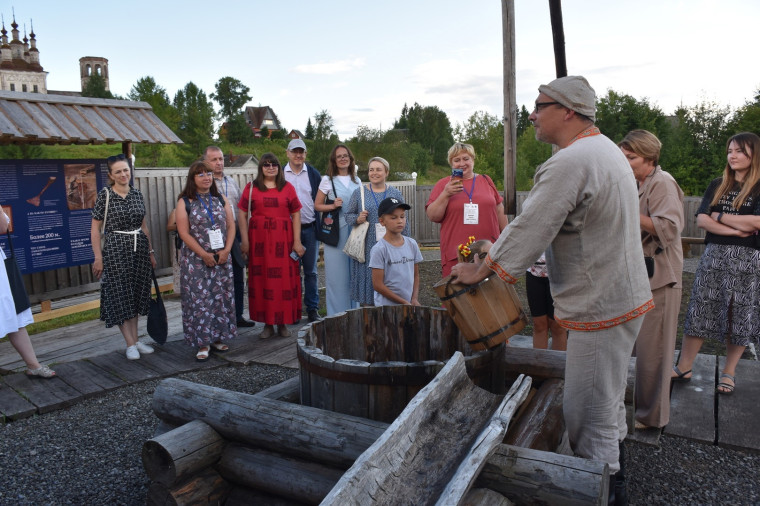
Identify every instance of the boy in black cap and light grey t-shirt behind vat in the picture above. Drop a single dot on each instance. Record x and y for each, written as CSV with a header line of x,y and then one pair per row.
x,y
394,259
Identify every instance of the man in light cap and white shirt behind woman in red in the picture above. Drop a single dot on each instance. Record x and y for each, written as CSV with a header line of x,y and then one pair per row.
x,y
305,179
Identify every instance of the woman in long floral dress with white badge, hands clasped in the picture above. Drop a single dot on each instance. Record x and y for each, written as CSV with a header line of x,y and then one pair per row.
x,y
205,224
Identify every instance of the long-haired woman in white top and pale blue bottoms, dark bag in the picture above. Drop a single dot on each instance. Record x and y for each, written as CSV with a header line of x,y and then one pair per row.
x,y
338,185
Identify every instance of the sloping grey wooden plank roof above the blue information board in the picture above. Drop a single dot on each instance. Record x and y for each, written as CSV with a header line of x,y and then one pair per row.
x,y
35,118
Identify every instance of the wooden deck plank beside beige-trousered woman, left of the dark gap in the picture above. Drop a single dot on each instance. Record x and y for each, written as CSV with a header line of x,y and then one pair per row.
x,y
692,404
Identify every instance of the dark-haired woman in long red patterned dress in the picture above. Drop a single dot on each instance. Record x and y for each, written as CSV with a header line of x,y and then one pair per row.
x,y
270,226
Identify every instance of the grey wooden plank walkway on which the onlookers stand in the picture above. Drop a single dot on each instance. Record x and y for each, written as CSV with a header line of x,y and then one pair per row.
x,y
90,361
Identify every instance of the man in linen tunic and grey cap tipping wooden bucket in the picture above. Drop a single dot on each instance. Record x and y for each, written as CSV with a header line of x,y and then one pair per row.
x,y
583,210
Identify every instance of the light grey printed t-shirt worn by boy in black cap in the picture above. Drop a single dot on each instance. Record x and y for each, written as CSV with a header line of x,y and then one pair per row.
x,y
397,263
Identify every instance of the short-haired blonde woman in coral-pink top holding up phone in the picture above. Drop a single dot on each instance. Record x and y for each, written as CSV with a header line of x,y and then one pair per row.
x,y
465,206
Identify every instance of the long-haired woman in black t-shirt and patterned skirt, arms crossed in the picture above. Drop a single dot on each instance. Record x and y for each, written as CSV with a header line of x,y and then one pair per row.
x,y
725,298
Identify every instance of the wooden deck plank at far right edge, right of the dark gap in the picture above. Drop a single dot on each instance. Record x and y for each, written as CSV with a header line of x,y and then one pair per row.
x,y
739,412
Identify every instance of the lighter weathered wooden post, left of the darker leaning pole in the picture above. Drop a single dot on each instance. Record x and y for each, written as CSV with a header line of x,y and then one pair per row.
x,y
510,108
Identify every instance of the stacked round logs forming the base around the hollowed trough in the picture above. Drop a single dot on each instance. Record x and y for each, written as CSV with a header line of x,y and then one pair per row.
x,y
276,452
